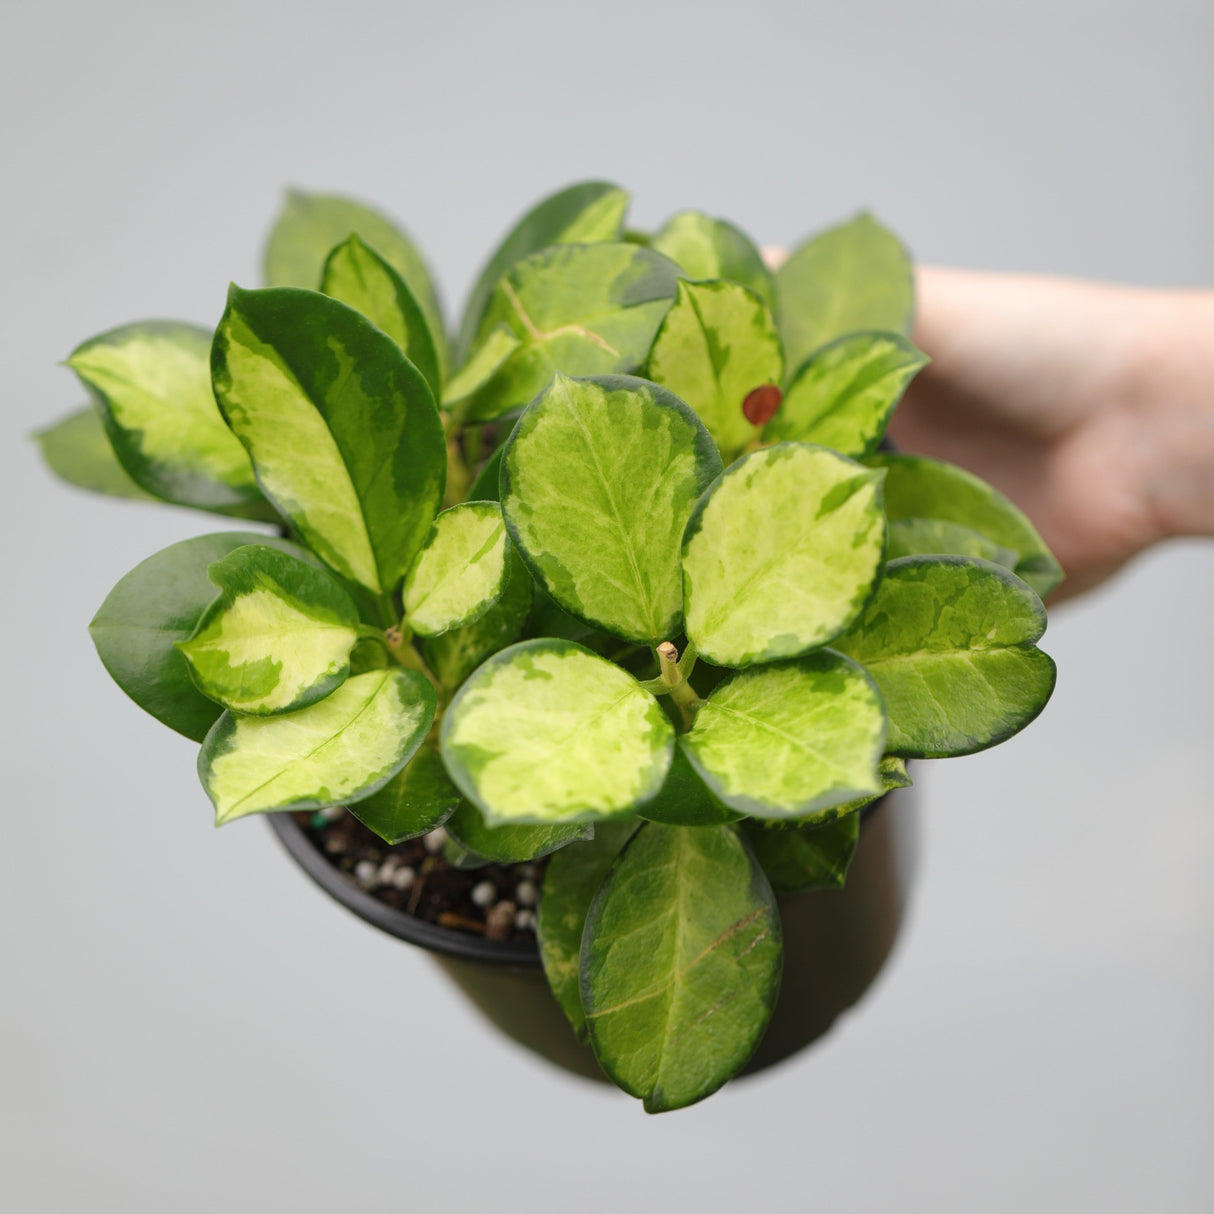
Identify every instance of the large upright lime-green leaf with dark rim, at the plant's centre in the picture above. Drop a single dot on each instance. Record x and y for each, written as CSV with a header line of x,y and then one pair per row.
x,y
599,480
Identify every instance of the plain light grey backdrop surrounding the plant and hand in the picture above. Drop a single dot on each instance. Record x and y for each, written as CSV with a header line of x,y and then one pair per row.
x,y
188,1025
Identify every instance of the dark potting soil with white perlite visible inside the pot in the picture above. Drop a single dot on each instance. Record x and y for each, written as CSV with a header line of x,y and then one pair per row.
x,y
497,901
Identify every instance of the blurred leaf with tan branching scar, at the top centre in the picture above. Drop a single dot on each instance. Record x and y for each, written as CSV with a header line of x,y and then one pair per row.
x,y
580,309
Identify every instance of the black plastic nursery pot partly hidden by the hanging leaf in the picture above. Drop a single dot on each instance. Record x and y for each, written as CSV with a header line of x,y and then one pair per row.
x,y
836,943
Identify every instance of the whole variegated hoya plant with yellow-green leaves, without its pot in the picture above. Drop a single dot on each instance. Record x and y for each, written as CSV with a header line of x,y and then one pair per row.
x,y
620,575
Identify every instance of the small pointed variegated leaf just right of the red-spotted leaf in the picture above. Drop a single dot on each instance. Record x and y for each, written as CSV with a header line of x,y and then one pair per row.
x,y
846,393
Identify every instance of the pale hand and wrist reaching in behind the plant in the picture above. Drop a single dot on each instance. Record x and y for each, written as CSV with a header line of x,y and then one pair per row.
x,y
1092,406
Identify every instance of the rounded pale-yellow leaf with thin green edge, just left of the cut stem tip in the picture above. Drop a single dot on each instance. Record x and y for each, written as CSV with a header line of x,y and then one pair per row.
x,y
547,731
